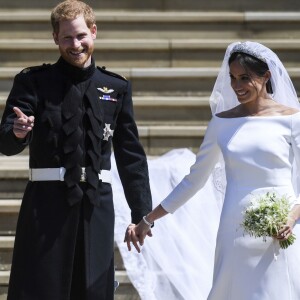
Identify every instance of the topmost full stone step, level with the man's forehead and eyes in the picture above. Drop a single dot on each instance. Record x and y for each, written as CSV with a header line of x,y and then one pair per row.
x,y
163,24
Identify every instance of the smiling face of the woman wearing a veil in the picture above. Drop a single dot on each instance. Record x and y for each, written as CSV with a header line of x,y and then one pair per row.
x,y
247,85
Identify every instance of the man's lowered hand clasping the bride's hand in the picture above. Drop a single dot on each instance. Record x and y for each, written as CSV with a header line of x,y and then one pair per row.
x,y
136,234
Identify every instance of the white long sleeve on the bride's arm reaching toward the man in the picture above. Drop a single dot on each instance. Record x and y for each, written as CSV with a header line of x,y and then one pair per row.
x,y
206,159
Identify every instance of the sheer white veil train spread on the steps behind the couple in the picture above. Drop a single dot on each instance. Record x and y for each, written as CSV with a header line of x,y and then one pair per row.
x,y
177,262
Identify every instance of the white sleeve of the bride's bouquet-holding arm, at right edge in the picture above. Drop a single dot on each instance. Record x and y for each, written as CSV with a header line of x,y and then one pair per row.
x,y
296,149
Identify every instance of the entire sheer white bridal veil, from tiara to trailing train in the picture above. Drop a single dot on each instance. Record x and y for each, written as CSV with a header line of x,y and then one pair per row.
x,y
177,262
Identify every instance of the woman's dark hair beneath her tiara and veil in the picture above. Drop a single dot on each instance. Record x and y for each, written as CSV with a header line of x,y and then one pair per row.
x,y
252,64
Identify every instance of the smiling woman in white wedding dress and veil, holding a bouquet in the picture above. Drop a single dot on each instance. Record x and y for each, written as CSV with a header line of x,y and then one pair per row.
x,y
255,134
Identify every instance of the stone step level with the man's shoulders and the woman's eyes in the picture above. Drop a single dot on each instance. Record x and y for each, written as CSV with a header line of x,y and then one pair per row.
x,y
162,81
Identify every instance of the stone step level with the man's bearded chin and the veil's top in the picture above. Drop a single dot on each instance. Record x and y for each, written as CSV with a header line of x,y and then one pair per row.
x,y
167,52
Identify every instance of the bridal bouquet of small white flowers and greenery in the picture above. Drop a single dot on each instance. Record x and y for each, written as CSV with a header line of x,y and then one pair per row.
x,y
265,216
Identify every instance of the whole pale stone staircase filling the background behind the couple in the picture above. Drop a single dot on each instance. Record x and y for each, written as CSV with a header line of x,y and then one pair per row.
x,y
171,51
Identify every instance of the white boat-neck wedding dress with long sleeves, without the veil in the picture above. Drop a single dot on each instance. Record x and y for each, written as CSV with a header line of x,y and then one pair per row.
x,y
258,153
